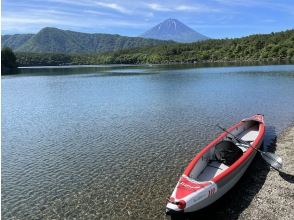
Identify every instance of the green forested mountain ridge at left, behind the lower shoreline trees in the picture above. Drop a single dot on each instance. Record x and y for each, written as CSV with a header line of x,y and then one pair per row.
x,y
53,40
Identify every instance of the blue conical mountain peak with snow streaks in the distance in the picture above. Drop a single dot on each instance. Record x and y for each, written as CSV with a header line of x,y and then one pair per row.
x,y
172,29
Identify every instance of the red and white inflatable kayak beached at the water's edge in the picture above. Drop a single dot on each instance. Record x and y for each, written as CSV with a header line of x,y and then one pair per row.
x,y
218,167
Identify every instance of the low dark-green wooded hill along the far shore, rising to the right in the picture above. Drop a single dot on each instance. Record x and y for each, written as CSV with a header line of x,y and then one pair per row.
x,y
266,47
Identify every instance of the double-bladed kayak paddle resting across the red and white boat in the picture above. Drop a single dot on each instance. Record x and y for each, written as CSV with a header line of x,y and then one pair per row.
x,y
273,160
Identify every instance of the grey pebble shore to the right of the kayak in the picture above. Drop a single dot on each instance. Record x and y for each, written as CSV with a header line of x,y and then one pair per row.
x,y
275,200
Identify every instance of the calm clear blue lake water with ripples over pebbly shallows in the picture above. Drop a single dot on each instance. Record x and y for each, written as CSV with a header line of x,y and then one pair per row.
x,y
111,142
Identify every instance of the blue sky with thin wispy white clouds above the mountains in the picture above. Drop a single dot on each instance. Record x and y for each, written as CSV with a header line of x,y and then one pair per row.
x,y
214,18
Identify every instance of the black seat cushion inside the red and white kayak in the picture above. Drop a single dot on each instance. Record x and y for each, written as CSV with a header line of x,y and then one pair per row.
x,y
227,152
